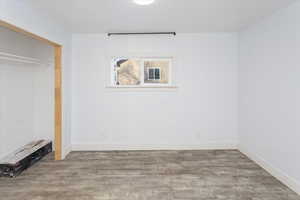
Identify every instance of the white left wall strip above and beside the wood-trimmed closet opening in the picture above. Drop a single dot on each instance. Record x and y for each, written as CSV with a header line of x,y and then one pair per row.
x,y
24,14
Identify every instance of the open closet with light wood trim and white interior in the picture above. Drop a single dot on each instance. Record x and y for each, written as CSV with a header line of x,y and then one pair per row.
x,y
31,79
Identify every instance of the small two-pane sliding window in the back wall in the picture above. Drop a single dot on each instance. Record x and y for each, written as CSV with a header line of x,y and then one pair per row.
x,y
141,72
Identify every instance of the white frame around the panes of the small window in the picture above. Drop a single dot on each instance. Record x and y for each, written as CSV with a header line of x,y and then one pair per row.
x,y
142,76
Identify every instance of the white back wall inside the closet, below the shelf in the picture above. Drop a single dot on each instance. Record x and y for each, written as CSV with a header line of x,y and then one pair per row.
x,y
16,115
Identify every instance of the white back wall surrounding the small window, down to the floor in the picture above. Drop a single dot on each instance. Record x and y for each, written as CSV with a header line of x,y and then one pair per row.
x,y
200,113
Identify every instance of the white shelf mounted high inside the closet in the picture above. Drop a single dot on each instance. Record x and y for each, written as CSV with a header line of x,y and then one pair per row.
x,y
22,59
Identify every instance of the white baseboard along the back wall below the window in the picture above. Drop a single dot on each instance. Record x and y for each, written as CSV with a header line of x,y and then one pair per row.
x,y
129,147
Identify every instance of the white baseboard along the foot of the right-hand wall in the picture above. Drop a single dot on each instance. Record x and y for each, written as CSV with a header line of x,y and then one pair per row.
x,y
279,174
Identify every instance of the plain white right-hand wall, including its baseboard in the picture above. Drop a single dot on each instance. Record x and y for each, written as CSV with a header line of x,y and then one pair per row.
x,y
269,109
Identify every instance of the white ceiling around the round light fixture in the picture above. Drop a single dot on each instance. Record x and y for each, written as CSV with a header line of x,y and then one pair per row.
x,y
186,16
